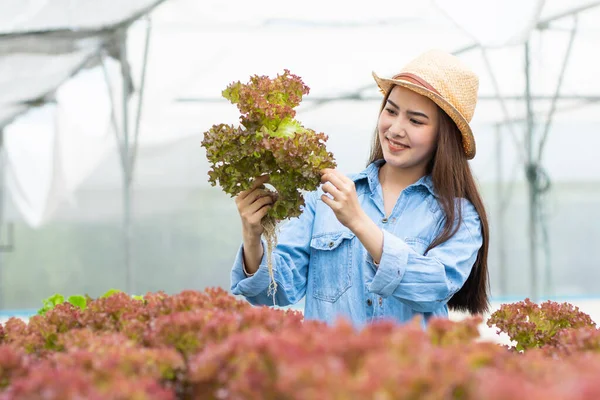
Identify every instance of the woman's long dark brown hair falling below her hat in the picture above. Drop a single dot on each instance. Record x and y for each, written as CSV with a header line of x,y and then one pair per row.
x,y
452,178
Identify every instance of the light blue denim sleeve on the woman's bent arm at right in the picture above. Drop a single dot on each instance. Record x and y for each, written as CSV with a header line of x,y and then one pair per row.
x,y
426,282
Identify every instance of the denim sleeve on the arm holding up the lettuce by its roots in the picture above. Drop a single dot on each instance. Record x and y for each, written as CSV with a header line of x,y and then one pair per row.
x,y
290,261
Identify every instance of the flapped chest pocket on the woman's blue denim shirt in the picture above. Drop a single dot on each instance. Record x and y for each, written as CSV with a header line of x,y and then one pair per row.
x,y
331,264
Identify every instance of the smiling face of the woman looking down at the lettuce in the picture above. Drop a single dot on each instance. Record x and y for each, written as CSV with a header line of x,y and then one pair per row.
x,y
408,129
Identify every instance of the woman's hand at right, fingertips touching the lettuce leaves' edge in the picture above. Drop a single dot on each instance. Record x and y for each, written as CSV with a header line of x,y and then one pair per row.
x,y
343,200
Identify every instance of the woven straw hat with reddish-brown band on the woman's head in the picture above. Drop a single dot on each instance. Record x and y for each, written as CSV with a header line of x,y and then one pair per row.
x,y
449,83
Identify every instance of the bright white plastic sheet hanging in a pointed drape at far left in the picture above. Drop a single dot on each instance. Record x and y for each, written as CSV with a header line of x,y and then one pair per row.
x,y
53,148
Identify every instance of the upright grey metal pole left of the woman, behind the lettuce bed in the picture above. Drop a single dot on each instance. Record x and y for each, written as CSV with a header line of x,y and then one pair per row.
x,y
129,273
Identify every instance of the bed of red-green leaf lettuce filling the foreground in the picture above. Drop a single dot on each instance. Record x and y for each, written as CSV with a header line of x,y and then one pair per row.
x,y
209,345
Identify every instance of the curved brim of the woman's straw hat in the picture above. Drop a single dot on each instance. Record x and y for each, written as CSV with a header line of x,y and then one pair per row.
x,y
461,122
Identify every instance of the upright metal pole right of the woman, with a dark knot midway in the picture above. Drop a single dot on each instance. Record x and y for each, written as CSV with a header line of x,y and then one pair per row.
x,y
531,174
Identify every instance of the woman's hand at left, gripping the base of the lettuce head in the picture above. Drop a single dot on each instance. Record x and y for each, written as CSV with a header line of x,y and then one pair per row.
x,y
253,204
